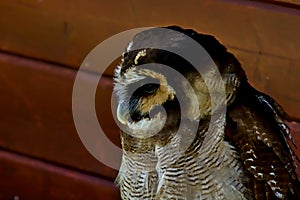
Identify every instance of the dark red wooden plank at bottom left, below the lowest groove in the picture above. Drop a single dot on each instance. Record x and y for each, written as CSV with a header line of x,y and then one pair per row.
x,y
25,178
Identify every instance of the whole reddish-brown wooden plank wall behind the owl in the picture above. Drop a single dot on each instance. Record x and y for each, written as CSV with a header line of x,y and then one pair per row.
x,y
43,43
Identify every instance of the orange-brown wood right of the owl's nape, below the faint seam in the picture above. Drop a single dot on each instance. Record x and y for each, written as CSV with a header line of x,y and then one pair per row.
x,y
275,76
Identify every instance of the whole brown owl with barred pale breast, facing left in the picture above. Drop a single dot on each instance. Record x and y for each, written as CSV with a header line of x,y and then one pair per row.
x,y
197,132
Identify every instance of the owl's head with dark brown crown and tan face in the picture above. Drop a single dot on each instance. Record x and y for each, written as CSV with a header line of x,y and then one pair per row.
x,y
156,87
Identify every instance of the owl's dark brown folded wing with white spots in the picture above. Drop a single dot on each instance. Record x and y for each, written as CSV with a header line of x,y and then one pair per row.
x,y
255,126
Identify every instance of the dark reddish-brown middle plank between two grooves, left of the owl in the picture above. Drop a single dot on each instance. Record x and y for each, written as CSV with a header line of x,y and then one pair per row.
x,y
36,103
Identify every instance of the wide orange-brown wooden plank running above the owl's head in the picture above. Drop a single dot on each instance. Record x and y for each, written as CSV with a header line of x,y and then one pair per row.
x,y
65,32
